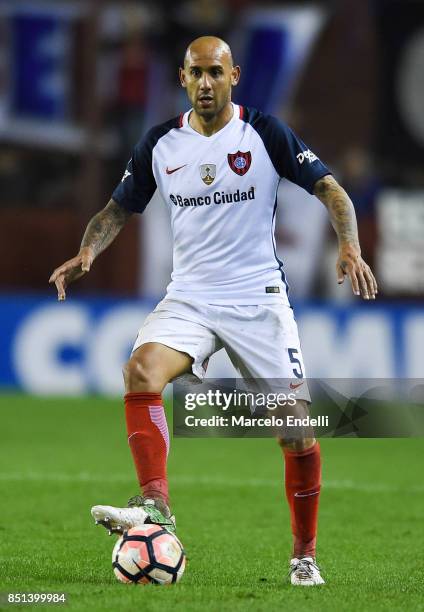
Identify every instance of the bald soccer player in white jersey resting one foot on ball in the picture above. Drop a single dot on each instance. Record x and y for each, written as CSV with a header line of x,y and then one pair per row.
x,y
218,167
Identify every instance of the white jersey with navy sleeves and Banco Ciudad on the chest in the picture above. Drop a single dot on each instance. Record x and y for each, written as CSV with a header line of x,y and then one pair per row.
x,y
221,194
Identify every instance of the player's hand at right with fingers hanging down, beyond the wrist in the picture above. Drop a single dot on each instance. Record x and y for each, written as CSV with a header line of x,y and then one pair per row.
x,y
351,264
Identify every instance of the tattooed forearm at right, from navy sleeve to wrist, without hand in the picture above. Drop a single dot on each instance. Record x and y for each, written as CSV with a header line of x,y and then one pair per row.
x,y
340,208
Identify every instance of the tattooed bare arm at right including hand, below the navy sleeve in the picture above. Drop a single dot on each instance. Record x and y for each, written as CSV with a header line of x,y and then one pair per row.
x,y
343,219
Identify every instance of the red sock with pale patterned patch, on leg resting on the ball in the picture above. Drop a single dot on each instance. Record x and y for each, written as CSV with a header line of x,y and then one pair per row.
x,y
148,438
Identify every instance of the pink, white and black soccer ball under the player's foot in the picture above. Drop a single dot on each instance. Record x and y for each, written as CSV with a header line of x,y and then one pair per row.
x,y
148,553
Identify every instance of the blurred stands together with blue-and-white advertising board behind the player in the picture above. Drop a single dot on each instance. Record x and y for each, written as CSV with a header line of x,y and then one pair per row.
x,y
79,83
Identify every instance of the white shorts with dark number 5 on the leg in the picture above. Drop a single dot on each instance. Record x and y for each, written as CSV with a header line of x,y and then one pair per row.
x,y
261,341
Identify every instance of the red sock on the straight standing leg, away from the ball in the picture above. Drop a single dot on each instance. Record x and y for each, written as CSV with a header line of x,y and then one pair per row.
x,y
303,483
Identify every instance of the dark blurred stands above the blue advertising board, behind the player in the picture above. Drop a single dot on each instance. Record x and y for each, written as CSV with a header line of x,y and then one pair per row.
x,y
353,94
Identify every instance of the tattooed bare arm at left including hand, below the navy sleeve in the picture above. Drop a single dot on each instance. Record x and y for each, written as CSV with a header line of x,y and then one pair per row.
x,y
101,230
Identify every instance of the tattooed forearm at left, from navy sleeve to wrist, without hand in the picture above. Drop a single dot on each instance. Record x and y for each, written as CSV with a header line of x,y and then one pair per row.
x,y
104,227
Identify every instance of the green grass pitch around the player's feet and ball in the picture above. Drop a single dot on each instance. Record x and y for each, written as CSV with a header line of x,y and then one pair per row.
x,y
61,456
